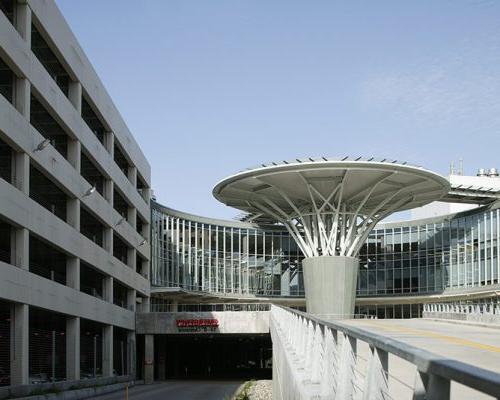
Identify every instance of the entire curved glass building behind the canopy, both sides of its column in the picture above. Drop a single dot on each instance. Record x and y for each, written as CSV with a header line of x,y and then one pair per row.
x,y
402,264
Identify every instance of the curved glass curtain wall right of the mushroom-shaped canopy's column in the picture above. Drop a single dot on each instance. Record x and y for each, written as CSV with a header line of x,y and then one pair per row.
x,y
452,254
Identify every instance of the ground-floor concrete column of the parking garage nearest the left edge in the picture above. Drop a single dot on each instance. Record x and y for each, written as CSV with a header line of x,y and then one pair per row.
x,y
19,349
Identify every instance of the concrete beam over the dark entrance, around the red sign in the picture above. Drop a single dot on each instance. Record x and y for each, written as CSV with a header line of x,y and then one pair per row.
x,y
229,322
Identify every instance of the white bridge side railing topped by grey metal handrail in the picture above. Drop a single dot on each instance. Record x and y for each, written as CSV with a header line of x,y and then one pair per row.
x,y
315,359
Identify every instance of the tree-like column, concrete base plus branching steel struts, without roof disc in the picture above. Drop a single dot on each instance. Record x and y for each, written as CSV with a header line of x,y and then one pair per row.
x,y
330,232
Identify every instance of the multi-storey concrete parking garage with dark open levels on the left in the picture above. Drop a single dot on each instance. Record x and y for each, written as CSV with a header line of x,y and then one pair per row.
x,y
74,209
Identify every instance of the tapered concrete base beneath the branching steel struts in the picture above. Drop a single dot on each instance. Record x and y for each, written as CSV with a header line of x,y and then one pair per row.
x,y
330,285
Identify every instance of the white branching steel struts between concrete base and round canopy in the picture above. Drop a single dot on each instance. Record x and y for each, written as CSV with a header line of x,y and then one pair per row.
x,y
332,226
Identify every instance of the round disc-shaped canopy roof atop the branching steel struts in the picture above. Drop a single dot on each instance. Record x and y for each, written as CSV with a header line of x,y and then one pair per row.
x,y
363,186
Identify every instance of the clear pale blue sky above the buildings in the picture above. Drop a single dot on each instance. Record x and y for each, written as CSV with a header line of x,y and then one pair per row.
x,y
211,87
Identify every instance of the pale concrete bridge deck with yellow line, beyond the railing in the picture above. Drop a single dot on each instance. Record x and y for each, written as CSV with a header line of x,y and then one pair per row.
x,y
475,345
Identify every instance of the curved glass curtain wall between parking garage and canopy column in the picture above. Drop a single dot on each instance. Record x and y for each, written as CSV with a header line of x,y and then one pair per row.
x,y
214,258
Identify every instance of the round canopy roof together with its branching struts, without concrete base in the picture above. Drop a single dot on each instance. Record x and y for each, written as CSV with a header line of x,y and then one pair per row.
x,y
330,206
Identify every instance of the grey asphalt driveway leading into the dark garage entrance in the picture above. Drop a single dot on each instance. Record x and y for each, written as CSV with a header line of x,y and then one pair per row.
x,y
179,390
